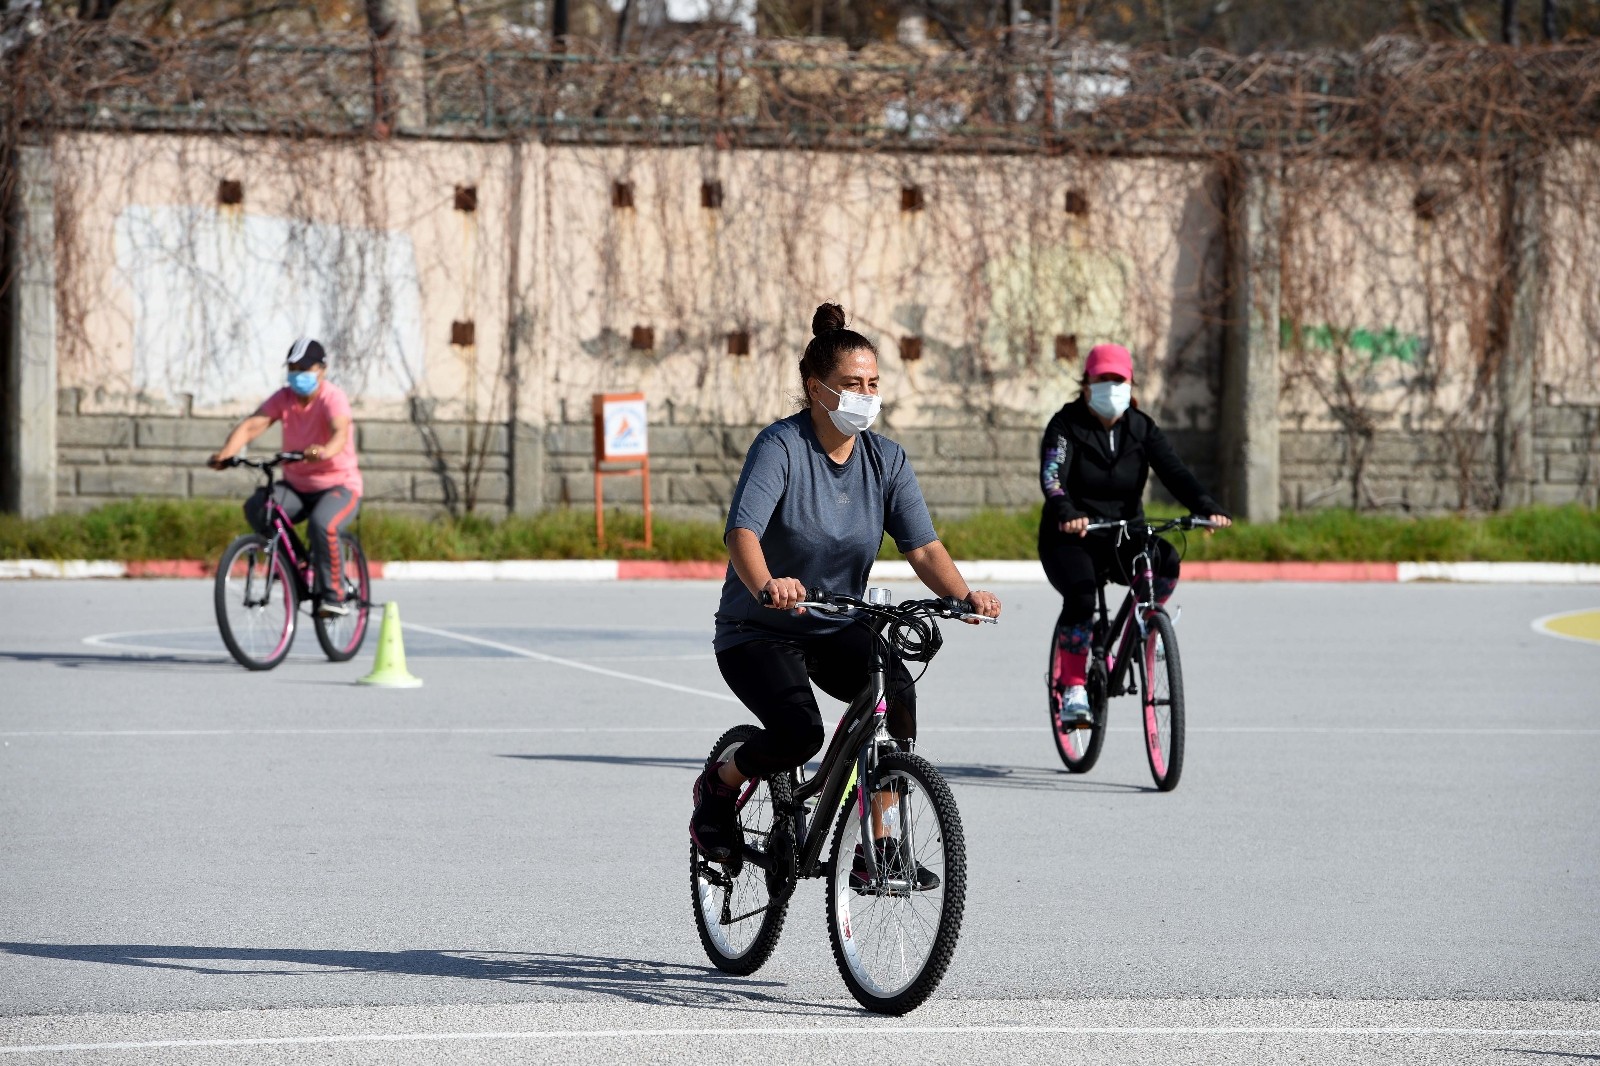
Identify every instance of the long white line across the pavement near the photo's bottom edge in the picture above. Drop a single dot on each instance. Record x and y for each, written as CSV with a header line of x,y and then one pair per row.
x,y
807,1032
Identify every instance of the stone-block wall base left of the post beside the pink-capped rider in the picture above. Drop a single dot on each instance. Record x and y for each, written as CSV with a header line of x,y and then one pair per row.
x,y
423,468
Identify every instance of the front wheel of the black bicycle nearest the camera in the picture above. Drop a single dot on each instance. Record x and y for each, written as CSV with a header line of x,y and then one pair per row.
x,y
850,924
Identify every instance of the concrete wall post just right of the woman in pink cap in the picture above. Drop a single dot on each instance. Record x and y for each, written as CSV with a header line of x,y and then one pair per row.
x,y
1250,348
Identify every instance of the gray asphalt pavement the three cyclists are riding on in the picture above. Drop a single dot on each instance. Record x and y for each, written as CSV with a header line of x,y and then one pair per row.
x,y
1386,846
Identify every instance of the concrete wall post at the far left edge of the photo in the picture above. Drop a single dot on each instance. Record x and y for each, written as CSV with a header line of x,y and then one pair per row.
x,y
28,470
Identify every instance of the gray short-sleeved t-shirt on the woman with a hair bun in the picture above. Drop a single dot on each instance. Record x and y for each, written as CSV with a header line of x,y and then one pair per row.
x,y
818,521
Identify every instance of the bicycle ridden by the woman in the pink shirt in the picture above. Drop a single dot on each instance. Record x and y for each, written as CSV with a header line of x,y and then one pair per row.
x,y
263,580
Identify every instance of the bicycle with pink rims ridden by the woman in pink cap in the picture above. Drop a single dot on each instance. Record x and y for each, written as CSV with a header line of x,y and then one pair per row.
x,y
1143,663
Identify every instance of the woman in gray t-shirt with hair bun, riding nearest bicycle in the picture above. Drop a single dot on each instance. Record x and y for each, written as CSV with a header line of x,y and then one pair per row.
x,y
817,495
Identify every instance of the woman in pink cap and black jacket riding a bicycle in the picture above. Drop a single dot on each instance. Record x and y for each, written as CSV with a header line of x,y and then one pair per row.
x,y
1095,462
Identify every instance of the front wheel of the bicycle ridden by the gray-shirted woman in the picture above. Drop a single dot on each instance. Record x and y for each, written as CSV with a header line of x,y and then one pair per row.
x,y
895,934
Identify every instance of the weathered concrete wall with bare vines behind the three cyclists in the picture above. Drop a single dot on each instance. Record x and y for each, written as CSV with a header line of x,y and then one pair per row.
x,y
172,313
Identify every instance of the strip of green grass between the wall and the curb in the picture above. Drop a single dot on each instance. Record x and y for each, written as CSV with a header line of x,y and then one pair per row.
x,y
196,529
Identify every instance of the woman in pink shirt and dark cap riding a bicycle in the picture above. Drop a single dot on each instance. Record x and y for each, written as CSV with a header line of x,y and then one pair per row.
x,y
326,487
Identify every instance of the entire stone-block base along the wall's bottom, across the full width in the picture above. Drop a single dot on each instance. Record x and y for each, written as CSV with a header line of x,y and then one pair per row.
x,y
425,468
